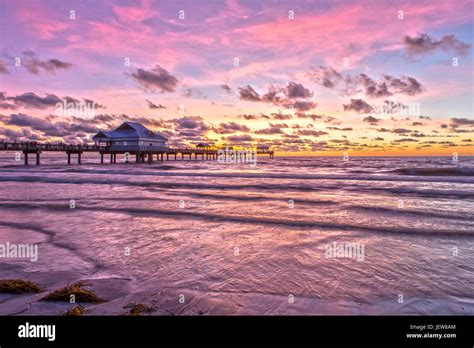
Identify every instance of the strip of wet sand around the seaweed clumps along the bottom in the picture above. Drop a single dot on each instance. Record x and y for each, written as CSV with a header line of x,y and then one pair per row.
x,y
167,300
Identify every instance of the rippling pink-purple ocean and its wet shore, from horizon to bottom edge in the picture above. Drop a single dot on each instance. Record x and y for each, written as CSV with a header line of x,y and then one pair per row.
x,y
289,236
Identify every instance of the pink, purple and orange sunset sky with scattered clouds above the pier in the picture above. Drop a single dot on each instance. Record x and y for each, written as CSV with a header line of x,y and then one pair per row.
x,y
305,77
